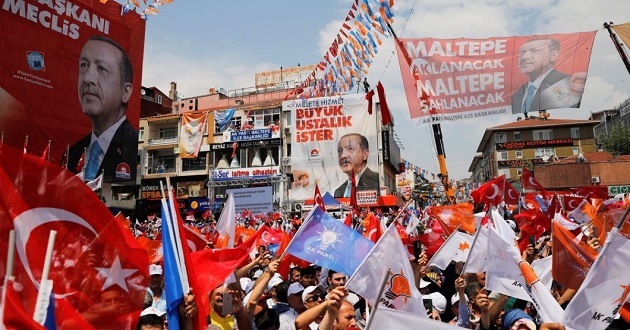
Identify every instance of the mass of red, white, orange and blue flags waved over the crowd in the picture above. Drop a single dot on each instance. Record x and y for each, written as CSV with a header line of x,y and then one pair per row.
x,y
375,254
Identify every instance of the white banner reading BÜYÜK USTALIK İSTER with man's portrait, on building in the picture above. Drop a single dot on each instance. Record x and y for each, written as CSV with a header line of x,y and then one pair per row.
x,y
330,138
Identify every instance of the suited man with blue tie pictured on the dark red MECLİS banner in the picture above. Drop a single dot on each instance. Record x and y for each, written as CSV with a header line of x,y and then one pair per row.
x,y
104,87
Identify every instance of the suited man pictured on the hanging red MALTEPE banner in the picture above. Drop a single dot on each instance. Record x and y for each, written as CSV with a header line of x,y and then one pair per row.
x,y
546,88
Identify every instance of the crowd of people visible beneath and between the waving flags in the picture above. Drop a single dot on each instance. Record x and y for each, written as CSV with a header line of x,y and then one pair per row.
x,y
310,297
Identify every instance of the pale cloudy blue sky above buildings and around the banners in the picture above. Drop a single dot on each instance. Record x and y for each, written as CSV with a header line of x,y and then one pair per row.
x,y
222,44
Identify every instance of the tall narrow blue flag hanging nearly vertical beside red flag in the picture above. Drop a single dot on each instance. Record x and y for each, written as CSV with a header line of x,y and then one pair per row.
x,y
172,282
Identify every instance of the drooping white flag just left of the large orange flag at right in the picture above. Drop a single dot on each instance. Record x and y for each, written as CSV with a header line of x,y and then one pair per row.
x,y
503,273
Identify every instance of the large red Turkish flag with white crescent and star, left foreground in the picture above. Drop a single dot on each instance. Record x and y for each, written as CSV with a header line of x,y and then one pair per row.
x,y
100,272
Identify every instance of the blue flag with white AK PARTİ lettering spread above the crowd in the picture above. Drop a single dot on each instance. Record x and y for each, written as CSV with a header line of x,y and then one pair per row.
x,y
328,242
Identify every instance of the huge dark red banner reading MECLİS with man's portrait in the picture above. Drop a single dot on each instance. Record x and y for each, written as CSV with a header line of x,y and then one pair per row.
x,y
53,87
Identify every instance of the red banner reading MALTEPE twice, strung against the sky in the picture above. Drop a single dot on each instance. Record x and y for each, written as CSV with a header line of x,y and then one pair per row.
x,y
451,80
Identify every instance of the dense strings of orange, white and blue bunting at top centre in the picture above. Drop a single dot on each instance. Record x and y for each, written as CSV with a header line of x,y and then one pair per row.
x,y
352,52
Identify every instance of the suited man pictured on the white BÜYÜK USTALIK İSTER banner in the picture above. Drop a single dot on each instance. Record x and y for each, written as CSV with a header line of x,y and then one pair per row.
x,y
353,151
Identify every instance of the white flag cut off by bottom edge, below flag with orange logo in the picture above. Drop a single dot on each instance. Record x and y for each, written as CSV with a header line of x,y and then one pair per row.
x,y
384,318
